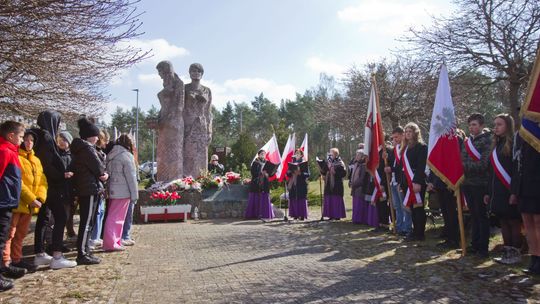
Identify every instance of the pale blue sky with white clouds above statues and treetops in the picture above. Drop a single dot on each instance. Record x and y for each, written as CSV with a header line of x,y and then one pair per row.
x,y
278,47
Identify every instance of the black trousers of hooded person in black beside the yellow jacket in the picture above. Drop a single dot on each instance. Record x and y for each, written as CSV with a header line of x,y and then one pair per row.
x,y
56,202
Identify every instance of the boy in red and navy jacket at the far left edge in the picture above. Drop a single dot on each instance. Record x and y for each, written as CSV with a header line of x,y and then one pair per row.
x,y
11,137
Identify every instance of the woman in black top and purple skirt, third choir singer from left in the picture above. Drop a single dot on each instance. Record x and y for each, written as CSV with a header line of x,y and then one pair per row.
x,y
334,206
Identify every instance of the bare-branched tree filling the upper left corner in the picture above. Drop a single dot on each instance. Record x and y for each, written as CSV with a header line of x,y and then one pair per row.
x,y
60,53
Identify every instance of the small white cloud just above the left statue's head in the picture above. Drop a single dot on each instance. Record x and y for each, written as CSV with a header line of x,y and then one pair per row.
x,y
161,49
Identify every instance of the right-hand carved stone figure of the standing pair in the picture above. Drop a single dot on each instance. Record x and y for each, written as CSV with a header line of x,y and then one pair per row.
x,y
197,123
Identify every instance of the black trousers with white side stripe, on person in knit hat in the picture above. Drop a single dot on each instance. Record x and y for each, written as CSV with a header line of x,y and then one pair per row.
x,y
87,206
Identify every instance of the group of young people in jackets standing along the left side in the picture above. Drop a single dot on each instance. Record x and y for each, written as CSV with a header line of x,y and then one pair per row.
x,y
47,172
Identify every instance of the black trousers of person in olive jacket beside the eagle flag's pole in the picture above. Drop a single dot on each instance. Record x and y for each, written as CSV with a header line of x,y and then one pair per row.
x,y
479,217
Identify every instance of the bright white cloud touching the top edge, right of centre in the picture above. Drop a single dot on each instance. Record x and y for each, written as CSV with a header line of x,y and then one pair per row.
x,y
389,17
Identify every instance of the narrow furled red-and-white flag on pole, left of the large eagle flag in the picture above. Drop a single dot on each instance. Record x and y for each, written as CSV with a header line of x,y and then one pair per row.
x,y
374,140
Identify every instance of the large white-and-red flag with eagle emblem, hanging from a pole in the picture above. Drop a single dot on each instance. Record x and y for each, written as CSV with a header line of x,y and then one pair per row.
x,y
444,156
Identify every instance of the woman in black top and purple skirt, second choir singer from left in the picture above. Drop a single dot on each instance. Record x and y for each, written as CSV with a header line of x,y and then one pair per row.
x,y
297,186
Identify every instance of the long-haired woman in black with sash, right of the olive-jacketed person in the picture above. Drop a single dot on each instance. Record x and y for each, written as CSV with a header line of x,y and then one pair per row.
x,y
498,197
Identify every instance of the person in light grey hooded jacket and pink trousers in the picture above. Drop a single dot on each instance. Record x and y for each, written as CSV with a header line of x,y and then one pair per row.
x,y
123,189
